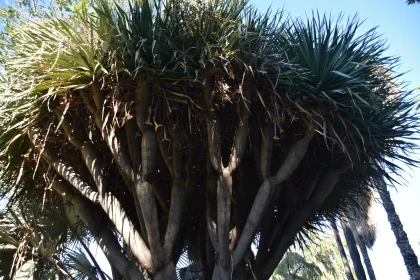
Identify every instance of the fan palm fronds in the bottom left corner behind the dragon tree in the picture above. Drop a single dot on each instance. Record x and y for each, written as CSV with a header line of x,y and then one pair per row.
x,y
44,244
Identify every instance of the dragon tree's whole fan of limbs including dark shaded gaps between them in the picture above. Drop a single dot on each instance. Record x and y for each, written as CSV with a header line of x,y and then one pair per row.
x,y
203,184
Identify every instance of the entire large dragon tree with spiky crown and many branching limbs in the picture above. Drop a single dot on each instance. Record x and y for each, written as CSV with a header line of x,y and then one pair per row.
x,y
197,127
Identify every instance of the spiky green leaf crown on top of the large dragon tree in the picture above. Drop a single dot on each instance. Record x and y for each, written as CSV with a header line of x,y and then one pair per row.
x,y
320,61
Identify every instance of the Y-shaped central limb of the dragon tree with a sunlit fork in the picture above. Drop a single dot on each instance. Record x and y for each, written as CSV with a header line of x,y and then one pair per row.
x,y
224,267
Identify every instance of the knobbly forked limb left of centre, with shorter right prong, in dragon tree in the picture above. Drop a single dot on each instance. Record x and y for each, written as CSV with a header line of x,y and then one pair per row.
x,y
161,255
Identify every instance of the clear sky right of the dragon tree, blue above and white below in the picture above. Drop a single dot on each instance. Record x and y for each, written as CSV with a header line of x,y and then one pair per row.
x,y
399,24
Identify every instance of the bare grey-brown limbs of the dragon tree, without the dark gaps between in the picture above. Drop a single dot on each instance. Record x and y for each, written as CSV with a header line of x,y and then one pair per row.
x,y
153,235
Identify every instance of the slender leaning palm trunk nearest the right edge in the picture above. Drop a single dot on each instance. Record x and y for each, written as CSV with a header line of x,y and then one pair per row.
x,y
410,258
